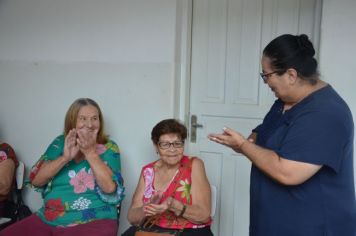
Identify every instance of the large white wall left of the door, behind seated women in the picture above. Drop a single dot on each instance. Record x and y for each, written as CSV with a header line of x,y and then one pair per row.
x,y
118,52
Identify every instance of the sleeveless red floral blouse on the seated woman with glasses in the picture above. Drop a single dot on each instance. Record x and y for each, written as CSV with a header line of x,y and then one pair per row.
x,y
179,188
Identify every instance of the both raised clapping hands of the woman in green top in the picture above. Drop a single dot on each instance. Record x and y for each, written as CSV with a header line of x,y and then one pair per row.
x,y
83,140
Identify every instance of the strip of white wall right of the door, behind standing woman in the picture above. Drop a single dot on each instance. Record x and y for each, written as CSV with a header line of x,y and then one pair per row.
x,y
338,50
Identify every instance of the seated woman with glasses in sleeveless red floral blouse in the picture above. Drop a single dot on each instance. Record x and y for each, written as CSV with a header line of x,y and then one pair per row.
x,y
173,193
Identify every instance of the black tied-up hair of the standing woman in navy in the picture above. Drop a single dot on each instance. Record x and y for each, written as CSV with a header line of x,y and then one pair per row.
x,y
293,51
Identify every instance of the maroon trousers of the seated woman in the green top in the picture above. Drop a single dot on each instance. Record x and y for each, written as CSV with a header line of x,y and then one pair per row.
x,y
34,225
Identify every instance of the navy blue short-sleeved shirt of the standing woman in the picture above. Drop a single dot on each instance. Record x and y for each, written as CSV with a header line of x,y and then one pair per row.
x,y
318,130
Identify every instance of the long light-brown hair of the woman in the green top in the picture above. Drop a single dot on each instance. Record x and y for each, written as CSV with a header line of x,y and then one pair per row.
x,y
72,115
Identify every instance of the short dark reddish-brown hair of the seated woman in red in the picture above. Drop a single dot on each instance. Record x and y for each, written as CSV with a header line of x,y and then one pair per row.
x,y
168,126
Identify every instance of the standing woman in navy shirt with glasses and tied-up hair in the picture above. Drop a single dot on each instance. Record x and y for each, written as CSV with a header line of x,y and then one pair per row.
x,y
302,181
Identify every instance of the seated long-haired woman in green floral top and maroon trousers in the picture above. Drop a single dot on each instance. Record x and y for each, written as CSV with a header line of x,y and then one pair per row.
x,y
79,178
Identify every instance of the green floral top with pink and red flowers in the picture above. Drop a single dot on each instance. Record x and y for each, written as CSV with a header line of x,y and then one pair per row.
x,y
73,197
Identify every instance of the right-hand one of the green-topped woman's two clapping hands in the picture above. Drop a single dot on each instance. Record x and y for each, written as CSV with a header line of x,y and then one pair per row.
x,y
87,140
